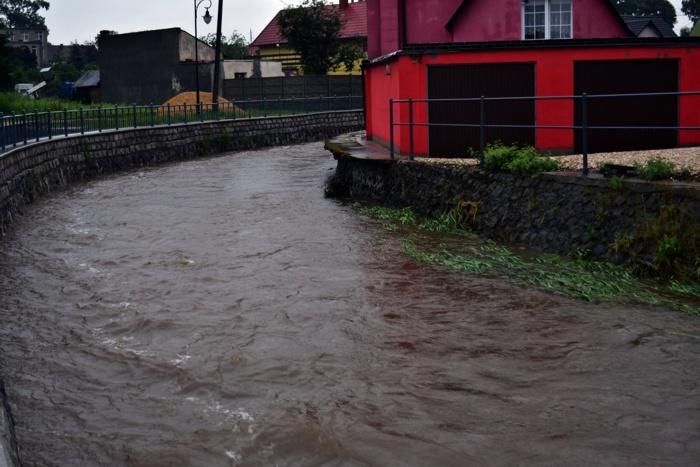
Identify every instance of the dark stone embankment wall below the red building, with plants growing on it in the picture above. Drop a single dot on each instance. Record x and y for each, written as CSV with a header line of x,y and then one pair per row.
x,y
625,221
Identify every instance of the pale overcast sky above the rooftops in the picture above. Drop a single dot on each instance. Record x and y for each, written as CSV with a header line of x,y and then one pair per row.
x,y
81,20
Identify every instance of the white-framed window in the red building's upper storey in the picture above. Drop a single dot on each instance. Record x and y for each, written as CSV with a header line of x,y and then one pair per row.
x,y
547,19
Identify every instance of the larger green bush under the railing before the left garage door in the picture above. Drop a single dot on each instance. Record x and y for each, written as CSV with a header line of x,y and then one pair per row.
x,y
518,161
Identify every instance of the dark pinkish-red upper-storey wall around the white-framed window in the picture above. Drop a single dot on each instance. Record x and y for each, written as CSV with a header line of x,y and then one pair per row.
x,y
479,21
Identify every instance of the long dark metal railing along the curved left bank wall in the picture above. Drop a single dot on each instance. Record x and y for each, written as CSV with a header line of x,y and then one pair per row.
x,y
23,128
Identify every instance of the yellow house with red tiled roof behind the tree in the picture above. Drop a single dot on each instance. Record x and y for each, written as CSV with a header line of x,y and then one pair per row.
x,y
270,44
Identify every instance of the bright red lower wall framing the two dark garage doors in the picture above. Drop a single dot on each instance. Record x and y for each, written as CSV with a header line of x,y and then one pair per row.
x,y
554,77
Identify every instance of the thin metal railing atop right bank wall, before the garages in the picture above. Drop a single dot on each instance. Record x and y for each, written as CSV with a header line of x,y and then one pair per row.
x,y
585,128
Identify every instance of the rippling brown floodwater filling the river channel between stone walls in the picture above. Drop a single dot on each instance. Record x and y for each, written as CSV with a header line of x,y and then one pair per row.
x,y
222,312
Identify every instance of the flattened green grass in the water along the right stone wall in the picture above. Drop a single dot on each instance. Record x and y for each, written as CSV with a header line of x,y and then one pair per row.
x,y
591,281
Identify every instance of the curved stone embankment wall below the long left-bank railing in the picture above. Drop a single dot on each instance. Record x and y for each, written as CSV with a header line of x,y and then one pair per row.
x,y
31,171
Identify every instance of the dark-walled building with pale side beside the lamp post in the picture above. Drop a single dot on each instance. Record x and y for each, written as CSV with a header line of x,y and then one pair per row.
x,y
152,66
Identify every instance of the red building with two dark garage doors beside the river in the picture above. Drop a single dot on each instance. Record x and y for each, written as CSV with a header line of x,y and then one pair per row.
x,y
465,49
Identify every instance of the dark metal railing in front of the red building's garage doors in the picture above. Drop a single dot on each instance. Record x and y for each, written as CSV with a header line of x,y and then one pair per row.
x,y
583,127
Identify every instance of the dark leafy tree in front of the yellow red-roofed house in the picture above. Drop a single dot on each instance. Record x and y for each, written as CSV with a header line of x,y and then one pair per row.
x,y
312,29
